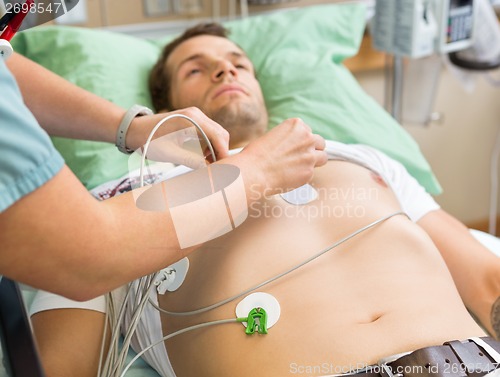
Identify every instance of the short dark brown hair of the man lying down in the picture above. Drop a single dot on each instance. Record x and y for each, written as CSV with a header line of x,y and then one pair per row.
x,y
159,80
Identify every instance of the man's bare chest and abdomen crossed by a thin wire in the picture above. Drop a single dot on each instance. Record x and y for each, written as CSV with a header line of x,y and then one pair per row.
x,y
382,292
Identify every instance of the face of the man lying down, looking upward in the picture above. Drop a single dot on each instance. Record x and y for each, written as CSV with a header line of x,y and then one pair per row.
x,y
214,74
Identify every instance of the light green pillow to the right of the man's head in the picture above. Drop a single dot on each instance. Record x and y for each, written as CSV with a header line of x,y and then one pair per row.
x,y
298,60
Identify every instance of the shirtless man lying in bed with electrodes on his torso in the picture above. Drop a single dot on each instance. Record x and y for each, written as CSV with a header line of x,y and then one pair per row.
x,y
383,292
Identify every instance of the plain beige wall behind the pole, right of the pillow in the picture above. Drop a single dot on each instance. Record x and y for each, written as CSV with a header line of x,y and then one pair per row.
x,y
459,148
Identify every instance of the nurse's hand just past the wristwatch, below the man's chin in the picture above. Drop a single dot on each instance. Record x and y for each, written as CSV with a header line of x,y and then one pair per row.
x,y
174,139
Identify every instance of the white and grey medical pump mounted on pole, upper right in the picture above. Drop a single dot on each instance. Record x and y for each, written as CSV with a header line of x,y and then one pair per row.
x,y
418,29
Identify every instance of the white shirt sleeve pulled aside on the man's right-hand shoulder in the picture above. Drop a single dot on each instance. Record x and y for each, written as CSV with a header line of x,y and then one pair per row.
x,y
413,198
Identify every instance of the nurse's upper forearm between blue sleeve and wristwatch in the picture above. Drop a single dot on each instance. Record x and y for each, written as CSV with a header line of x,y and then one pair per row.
x,y
61,108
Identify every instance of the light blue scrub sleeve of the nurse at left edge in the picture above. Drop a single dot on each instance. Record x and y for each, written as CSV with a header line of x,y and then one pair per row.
x,y
27,157
